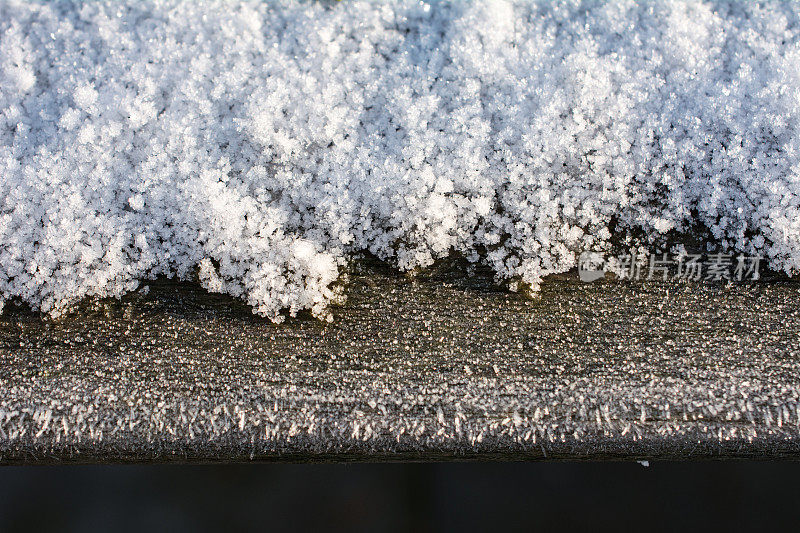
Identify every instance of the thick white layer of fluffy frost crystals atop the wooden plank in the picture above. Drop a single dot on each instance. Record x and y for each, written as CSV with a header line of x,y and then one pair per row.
x,y
256,144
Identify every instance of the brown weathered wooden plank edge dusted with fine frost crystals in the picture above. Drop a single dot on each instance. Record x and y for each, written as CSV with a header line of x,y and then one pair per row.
x,y
435,367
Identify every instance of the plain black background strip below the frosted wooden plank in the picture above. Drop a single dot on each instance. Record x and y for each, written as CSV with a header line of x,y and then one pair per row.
x,y
712,496
